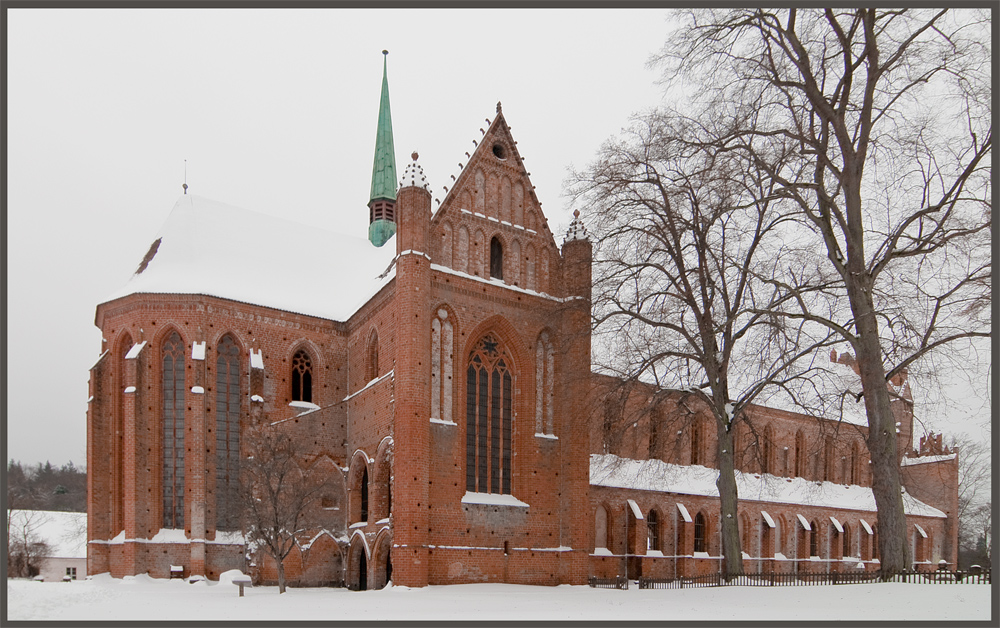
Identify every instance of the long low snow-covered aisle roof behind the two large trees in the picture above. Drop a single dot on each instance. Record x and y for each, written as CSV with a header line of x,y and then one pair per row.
x,y
656,475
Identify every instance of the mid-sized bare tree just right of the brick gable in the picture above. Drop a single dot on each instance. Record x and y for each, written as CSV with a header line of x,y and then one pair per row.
x,y
680,223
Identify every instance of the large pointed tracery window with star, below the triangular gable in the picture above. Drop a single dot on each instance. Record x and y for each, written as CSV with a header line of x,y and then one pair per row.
x,y
489,401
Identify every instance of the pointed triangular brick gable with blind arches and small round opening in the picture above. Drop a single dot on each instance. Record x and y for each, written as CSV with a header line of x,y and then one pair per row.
x,y
493,195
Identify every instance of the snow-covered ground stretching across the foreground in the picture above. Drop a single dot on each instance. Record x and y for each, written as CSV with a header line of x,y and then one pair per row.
x,y
144,598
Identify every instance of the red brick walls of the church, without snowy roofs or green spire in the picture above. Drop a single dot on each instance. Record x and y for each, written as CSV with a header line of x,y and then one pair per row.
x,y
393,420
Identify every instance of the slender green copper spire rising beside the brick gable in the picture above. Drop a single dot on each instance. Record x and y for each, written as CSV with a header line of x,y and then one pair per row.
x,y
382,202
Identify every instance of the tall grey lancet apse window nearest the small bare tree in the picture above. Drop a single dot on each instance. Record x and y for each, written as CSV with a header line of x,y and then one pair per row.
x,y
227,434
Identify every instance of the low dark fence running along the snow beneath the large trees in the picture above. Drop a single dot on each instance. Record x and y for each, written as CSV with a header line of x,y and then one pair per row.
x,y
796,579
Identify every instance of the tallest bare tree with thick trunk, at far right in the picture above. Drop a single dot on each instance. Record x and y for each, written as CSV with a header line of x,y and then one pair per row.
x,y
889,114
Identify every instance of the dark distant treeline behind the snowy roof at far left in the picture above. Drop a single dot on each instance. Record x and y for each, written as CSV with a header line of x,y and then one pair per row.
x,y
45,487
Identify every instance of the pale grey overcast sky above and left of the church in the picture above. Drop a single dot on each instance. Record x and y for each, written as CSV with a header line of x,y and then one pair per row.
x,y
274,111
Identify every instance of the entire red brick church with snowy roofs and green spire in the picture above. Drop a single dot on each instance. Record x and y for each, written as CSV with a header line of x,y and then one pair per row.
x,y
444,389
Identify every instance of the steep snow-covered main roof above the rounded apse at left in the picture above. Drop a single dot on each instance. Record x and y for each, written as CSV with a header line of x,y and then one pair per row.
x,y
223,251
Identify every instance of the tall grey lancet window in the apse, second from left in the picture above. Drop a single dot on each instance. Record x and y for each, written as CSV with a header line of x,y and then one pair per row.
x,y
173,431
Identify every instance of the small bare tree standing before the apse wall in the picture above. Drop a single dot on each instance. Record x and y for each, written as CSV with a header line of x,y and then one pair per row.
x,y
279,496
